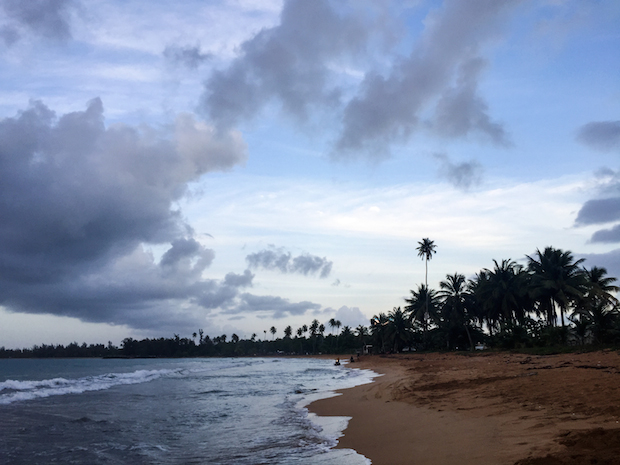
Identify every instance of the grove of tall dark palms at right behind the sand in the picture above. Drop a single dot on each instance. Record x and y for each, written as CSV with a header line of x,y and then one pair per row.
x,y
551,301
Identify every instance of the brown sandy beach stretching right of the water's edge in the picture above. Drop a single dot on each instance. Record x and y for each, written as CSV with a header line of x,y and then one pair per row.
x,y
484,408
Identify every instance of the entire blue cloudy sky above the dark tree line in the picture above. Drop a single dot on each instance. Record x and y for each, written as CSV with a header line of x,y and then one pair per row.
x,y
232,165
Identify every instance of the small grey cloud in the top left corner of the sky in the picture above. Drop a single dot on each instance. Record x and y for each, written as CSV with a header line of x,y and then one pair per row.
x,y
48,18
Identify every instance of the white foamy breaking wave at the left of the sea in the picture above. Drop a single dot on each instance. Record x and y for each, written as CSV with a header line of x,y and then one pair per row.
x,y
15,391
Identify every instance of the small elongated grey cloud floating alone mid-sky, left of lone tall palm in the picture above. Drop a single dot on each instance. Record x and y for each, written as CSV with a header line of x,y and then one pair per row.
x,y
278,259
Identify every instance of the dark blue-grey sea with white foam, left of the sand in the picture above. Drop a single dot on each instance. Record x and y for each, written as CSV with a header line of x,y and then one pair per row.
x,y
171,411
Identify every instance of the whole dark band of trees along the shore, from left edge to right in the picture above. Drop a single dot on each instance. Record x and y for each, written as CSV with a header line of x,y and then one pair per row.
x,y
553,301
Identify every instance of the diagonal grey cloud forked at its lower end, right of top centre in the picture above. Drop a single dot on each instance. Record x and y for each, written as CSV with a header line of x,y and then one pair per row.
x,y
444,65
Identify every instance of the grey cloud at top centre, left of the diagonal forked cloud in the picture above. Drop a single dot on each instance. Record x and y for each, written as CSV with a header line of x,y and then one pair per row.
x,y
289,63
